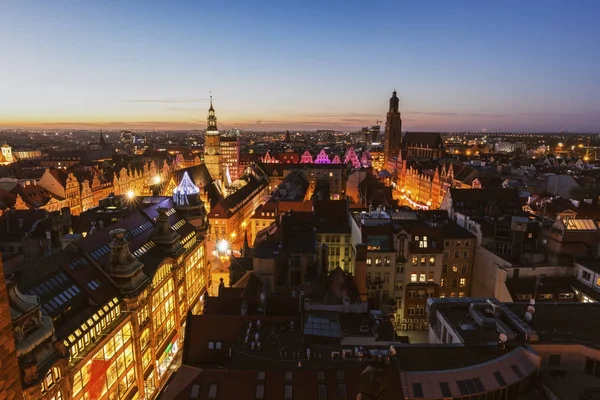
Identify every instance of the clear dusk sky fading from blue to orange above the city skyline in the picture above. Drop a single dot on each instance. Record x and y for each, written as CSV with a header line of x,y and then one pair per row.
x,y
457,65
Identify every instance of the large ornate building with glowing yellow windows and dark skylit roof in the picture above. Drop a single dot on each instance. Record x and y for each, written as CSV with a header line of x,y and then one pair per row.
x,y
118,299
